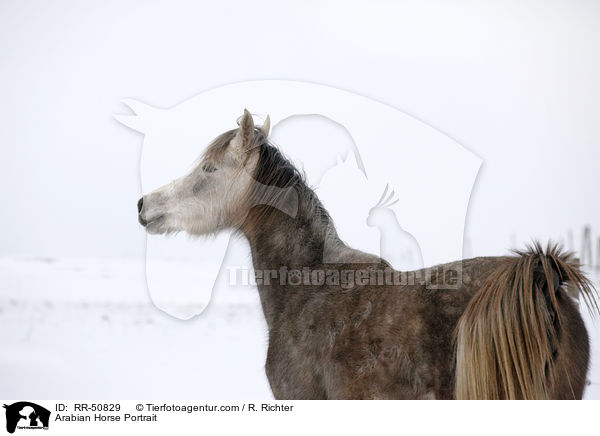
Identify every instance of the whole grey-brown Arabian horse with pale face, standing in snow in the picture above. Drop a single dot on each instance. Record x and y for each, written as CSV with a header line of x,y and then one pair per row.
x,y
507,330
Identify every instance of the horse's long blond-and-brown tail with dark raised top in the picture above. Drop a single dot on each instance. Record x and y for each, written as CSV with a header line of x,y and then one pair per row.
x,y
508,338
